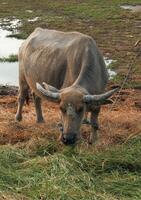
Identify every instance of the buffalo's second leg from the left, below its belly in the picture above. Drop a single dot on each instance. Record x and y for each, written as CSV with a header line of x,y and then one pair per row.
x,y
37,102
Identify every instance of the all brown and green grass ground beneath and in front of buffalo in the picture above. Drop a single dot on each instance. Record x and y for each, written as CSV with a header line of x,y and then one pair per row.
x,y
37,164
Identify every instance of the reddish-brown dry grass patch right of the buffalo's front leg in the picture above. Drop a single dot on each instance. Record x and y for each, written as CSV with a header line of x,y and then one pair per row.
x,y
123,121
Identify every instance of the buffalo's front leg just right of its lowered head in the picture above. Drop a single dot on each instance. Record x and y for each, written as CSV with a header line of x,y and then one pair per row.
x,y
94,125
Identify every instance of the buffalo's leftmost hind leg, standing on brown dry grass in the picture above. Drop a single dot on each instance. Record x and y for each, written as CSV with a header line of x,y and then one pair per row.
x,y
23,95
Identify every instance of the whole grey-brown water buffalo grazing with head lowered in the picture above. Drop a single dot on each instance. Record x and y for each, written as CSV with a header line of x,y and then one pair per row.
x,y
68,68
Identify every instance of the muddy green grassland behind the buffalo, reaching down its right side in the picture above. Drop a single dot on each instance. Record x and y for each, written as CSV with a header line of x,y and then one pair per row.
x,y
114,29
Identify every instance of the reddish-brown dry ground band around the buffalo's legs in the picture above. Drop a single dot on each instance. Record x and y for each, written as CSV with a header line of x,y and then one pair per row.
x,y
117,122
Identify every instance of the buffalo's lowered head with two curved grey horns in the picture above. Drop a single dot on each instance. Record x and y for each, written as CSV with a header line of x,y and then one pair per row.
x,y
73,103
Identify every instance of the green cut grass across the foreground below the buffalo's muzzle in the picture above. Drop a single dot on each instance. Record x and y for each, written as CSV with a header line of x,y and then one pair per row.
x,y
113,173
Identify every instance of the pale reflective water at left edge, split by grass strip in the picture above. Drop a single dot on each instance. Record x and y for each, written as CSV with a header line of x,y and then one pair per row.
x,y
9,46
